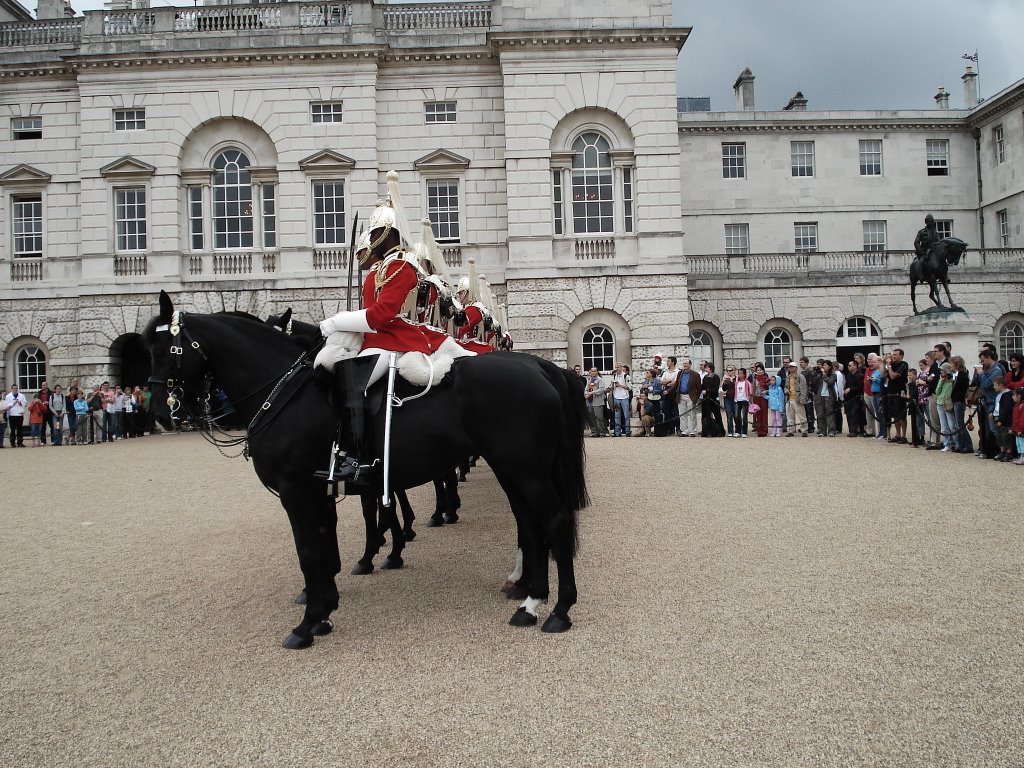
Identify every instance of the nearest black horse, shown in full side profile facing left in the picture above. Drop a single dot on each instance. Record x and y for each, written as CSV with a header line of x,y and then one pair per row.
x,y
534,444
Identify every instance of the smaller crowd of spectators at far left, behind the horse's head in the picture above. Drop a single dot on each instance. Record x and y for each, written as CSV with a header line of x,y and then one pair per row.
x,y
74,417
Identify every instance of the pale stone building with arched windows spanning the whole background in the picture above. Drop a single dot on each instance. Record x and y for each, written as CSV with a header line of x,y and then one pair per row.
x,y
222,153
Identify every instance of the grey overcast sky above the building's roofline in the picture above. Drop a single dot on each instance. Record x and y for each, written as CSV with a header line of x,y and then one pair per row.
x,y
871,55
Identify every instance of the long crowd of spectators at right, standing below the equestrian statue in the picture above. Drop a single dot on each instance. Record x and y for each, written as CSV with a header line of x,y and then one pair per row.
x,y
940,404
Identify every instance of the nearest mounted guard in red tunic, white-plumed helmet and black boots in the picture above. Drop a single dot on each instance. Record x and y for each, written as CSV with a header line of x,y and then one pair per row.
x,y
393,276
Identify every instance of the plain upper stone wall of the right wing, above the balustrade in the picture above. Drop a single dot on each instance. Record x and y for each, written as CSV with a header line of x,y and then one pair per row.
x,y
771,200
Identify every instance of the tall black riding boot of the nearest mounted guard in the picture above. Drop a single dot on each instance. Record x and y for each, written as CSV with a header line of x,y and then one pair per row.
x,y
351,379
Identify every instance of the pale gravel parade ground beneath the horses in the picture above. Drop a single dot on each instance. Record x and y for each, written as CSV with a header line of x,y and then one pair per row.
x,y
759,603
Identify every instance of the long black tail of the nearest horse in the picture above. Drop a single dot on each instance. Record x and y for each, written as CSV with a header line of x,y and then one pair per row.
x,y
569,474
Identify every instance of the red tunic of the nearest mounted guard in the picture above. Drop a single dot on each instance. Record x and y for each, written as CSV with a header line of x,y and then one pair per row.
x,y
385,294
